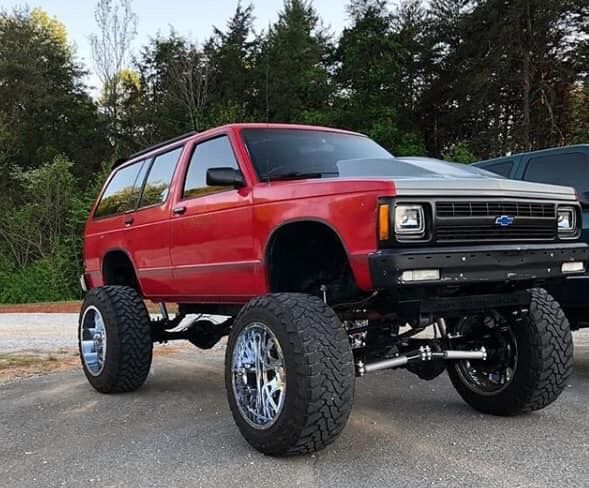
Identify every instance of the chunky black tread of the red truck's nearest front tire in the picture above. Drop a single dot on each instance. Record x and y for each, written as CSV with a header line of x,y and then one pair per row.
x,y
324,365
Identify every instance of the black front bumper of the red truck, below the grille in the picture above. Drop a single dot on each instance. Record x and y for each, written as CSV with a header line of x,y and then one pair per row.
x,y
476,264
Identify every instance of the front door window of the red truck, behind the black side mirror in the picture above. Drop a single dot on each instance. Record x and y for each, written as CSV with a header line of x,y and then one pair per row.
x,y
209,154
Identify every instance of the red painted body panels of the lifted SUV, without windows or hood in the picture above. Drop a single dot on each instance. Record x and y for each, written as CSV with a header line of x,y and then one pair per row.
x,y
211,247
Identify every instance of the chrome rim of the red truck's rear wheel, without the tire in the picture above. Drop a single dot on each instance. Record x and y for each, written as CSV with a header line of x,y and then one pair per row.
x,y
93,340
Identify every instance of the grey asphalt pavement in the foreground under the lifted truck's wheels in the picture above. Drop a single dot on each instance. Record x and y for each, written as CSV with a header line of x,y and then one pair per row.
x,y
177,431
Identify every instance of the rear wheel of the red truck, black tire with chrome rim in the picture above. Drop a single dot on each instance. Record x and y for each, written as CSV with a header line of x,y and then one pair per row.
x,y
114,338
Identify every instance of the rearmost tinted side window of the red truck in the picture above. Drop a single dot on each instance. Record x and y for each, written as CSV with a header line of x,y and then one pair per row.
x,y
123,190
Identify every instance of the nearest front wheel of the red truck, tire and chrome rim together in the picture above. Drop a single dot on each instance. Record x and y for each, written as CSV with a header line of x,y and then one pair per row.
x,y
289,374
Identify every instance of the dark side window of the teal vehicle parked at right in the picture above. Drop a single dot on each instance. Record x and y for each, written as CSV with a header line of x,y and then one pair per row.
x,y
570,169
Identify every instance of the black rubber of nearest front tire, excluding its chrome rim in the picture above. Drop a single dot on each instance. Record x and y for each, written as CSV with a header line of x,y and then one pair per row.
x,y
319,373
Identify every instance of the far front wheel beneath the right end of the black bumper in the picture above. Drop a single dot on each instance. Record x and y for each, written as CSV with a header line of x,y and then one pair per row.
x,y
536,368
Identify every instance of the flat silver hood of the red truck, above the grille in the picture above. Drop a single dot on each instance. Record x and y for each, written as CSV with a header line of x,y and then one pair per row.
x,y
443,186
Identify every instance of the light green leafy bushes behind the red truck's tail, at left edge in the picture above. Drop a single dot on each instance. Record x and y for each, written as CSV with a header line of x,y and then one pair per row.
x,y
41,233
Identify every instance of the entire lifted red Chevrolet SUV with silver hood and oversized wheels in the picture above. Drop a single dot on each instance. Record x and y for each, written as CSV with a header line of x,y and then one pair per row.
x,y
329,259
